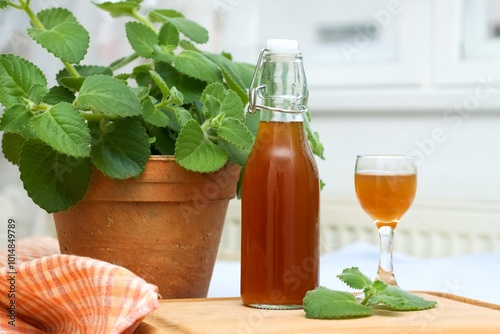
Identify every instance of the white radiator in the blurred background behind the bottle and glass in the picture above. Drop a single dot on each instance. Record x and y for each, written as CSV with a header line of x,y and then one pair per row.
x,y
431,228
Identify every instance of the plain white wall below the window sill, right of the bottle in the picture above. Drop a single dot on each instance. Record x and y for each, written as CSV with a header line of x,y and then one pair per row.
x,y
459,163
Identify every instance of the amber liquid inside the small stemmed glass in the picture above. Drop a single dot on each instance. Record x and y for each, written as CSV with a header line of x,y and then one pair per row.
x,y
385,197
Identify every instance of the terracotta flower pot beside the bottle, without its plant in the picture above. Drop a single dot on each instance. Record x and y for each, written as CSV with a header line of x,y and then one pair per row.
x,y
165,226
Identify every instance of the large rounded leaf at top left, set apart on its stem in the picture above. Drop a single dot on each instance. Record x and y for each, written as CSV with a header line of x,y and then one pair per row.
x,y
62,35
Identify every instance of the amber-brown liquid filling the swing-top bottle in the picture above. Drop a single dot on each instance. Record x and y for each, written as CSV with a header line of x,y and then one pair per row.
x,y
280,218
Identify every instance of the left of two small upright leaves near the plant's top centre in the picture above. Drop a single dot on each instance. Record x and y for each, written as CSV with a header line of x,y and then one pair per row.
x,y
142,38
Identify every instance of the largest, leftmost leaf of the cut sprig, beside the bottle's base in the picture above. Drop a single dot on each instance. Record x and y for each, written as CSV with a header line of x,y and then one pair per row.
x,y
323,303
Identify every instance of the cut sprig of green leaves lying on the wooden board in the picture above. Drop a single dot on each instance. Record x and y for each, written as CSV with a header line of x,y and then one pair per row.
x,y
324,303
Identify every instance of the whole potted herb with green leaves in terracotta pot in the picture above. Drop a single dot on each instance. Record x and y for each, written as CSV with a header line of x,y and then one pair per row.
x,y
104,143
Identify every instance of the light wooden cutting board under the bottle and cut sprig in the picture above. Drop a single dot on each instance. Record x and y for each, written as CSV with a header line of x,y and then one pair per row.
x,y
452,314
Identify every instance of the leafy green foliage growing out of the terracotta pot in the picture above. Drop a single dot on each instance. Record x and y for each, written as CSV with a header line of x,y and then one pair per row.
x,y
178,101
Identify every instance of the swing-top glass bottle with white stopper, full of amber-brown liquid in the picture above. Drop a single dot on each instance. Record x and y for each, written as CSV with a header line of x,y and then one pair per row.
x,y
280,189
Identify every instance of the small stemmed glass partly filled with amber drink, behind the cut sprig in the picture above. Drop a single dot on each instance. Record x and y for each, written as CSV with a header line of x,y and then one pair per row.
x,y
385,187
